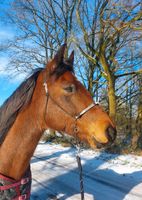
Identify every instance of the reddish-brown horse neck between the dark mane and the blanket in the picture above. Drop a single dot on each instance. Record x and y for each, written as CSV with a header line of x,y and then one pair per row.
x,y
22,139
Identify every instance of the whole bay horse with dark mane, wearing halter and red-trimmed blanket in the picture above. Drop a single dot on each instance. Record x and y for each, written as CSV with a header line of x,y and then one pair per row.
x,y
51,98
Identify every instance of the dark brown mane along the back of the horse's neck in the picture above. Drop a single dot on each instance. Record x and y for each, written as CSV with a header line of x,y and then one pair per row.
x,y
15,103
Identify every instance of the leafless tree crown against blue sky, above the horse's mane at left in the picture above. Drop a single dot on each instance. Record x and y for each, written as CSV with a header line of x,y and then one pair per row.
x,y
42,26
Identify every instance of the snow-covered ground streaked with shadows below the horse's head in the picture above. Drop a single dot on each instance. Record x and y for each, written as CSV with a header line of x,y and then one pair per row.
x,y
106,176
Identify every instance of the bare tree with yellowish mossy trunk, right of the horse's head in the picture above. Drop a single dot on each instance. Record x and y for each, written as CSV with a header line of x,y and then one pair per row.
x,y
107,33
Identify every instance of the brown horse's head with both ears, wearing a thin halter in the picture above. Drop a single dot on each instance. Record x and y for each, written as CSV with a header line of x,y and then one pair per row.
x,y
70,107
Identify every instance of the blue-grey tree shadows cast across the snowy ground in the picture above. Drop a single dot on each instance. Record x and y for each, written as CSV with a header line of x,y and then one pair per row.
x,y
101,184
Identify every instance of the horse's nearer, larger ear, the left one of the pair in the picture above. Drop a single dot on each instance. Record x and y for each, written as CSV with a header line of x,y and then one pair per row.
x,y
58,58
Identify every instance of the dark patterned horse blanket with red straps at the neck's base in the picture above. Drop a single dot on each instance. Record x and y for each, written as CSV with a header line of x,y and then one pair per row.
x,y
15,190
